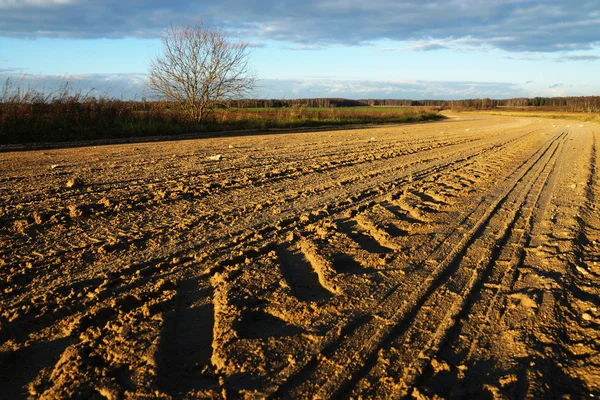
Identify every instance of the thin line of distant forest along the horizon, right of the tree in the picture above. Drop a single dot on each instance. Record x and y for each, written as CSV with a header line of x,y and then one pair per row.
x,y
574,104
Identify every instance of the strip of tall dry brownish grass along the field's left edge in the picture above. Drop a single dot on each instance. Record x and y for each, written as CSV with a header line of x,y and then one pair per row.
x,y
28,116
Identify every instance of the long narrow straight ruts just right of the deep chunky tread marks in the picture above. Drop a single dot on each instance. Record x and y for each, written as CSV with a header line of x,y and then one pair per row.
x,y
500,258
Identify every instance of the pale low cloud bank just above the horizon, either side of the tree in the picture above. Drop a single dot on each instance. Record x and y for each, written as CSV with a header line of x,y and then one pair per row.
x,y
132,86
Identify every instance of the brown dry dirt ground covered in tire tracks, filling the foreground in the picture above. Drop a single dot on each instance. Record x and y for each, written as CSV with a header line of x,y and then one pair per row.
x,y
455,259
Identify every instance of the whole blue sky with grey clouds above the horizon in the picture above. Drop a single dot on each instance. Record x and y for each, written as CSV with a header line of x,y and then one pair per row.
x,y
426,49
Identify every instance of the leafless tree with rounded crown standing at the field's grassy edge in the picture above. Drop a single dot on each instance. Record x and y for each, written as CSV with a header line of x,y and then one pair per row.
x,y
200,69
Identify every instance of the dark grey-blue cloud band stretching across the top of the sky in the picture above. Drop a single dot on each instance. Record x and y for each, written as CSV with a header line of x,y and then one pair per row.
x,y
512,25
